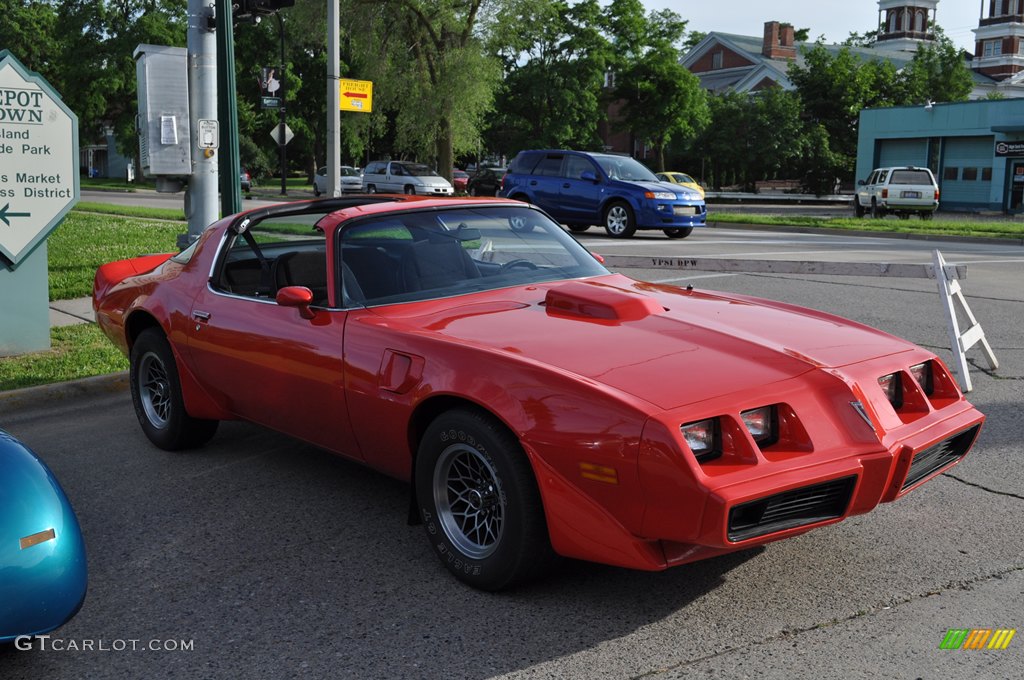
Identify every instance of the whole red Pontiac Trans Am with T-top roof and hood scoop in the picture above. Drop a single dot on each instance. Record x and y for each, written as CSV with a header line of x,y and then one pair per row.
x,y
539,405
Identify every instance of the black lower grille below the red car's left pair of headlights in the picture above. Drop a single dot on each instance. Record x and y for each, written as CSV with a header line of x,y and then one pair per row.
x,y
790,509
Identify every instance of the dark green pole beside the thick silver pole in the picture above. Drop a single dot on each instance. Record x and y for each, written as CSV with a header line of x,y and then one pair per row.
x,y
228,112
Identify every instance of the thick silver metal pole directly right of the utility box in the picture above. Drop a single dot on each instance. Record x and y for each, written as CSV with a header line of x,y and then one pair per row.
x,y
201,197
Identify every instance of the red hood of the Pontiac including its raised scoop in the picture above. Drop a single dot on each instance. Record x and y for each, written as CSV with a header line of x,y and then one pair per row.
x,y
660,344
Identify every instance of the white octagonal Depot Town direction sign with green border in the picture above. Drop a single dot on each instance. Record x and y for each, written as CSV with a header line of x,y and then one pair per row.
x,y
39,181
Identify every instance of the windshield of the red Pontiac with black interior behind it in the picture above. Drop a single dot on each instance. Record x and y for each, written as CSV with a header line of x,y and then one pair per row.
x,y
406,257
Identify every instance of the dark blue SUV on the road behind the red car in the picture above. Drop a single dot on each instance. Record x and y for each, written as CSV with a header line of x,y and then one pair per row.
x,y
581,189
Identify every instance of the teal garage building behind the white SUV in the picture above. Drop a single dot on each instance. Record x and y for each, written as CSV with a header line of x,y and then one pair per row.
x,y
975,150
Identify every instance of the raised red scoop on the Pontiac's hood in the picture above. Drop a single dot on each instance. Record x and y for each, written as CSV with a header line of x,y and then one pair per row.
x,y
600,303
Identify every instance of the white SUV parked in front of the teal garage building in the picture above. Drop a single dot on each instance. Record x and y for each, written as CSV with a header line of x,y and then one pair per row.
x,y
904,192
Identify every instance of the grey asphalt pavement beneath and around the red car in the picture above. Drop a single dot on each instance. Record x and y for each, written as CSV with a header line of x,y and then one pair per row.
x,y
267,559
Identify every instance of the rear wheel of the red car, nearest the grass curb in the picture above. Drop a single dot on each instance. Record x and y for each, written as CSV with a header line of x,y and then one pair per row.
x,y
156,394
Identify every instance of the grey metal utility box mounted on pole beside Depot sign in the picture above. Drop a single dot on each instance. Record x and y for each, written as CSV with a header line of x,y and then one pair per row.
x,y
164,138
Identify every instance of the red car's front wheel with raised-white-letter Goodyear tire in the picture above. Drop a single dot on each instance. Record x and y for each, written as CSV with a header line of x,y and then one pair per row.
x,y
480,501
